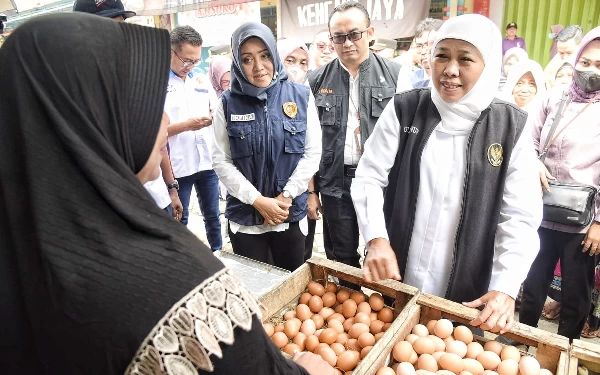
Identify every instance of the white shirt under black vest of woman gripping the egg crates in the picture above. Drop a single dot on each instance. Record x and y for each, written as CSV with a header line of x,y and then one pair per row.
x,y
439,200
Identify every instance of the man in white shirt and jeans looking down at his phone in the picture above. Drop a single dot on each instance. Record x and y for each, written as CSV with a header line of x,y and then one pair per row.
x,y
189,103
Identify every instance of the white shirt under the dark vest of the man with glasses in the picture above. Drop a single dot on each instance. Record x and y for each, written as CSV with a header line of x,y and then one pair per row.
x,y
352,144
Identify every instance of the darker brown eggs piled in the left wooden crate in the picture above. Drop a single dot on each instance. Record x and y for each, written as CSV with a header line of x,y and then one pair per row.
x,y
340,326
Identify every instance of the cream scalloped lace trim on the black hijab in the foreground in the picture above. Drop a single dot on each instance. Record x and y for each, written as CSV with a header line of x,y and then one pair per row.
x,y
195,327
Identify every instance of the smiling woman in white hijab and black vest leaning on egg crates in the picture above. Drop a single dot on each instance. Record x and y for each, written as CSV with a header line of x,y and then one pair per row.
x,y
460,208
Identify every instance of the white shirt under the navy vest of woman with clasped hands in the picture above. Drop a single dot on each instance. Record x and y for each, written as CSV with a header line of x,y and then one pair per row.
x,y
238,186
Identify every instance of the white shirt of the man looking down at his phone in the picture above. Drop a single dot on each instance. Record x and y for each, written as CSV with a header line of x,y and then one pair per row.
x,y
190,151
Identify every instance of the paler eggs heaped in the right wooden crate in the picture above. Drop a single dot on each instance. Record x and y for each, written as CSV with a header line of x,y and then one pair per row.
x,y
439,348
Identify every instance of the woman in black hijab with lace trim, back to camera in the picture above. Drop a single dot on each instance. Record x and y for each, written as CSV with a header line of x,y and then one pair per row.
x,y
94,277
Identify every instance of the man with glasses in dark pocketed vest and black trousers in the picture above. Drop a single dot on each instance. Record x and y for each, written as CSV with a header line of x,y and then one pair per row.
x,y
350,93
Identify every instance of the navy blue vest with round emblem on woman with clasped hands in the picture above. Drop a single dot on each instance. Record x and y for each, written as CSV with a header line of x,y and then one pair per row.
x,y
266,145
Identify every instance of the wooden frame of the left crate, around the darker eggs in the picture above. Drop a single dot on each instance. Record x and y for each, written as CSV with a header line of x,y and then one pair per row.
x,y
284,297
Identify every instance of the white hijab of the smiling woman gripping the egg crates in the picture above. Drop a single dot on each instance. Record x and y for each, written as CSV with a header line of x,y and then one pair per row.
x,y
482,33
